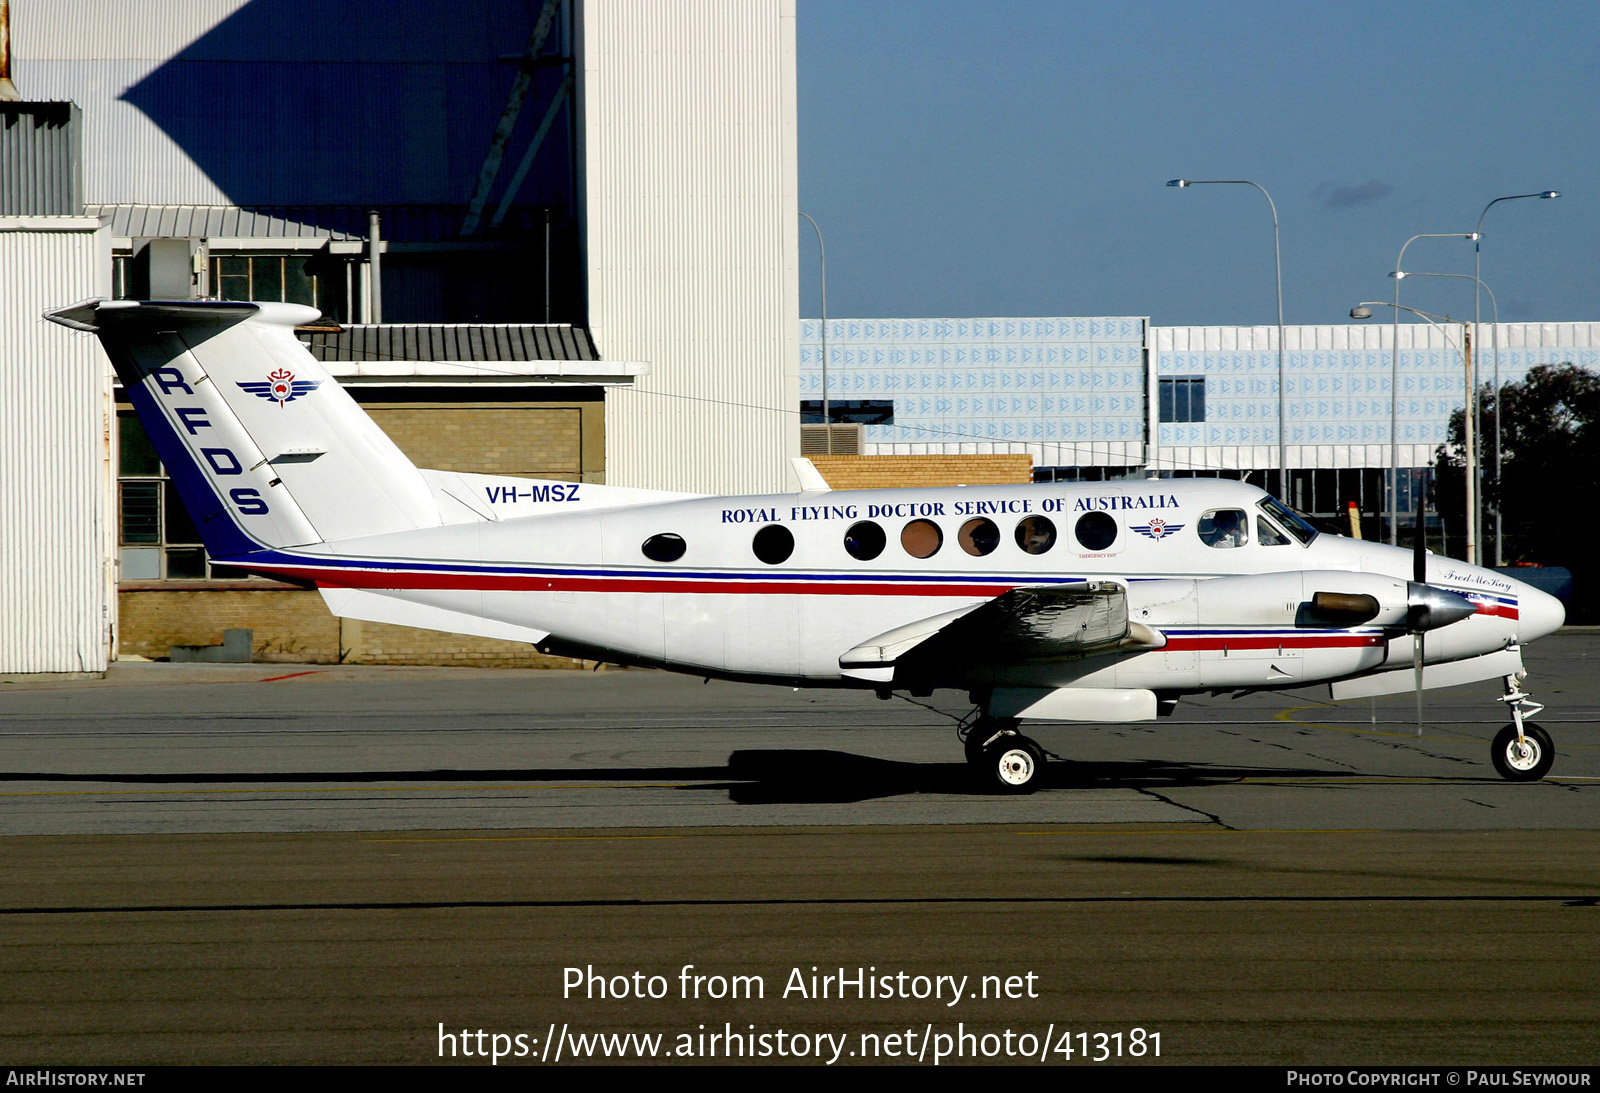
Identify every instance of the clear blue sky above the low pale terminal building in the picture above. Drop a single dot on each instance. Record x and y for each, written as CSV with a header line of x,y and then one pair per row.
x,y
1010,158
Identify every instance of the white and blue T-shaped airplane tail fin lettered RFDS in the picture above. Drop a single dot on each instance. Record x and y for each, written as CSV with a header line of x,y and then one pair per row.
x,y
265,447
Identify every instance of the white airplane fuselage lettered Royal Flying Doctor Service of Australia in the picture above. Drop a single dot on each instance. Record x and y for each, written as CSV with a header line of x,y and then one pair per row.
x,y
583,579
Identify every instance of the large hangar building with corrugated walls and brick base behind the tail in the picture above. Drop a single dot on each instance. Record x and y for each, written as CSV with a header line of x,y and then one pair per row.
x,y
538,230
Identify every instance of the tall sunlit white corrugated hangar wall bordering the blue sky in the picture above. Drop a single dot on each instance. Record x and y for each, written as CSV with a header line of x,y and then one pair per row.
x,y
690,180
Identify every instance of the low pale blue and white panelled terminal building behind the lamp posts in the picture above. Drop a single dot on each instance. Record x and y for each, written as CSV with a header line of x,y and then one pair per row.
x,y
1090,399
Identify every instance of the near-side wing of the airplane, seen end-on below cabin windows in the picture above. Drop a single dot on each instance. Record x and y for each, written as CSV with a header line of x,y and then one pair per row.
x,y
1026,625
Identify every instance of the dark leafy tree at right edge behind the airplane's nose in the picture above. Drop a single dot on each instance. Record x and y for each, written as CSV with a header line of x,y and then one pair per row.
x,y
1550,489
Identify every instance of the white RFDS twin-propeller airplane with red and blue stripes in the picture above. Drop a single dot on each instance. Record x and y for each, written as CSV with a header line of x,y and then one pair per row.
x,y
1052,603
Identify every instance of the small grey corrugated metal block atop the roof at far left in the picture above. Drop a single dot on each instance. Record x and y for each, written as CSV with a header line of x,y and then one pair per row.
x,y
41,159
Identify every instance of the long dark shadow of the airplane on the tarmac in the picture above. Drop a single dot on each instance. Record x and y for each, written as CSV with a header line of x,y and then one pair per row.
x,y
756,777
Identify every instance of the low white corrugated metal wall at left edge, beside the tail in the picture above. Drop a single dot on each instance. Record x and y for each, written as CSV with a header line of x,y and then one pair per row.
x,y
57,532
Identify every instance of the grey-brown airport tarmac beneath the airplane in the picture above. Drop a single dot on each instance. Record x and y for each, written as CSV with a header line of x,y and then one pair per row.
x,y
294,865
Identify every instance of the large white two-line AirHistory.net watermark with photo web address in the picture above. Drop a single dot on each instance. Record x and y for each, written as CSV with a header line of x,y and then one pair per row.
x,y
929,1044
